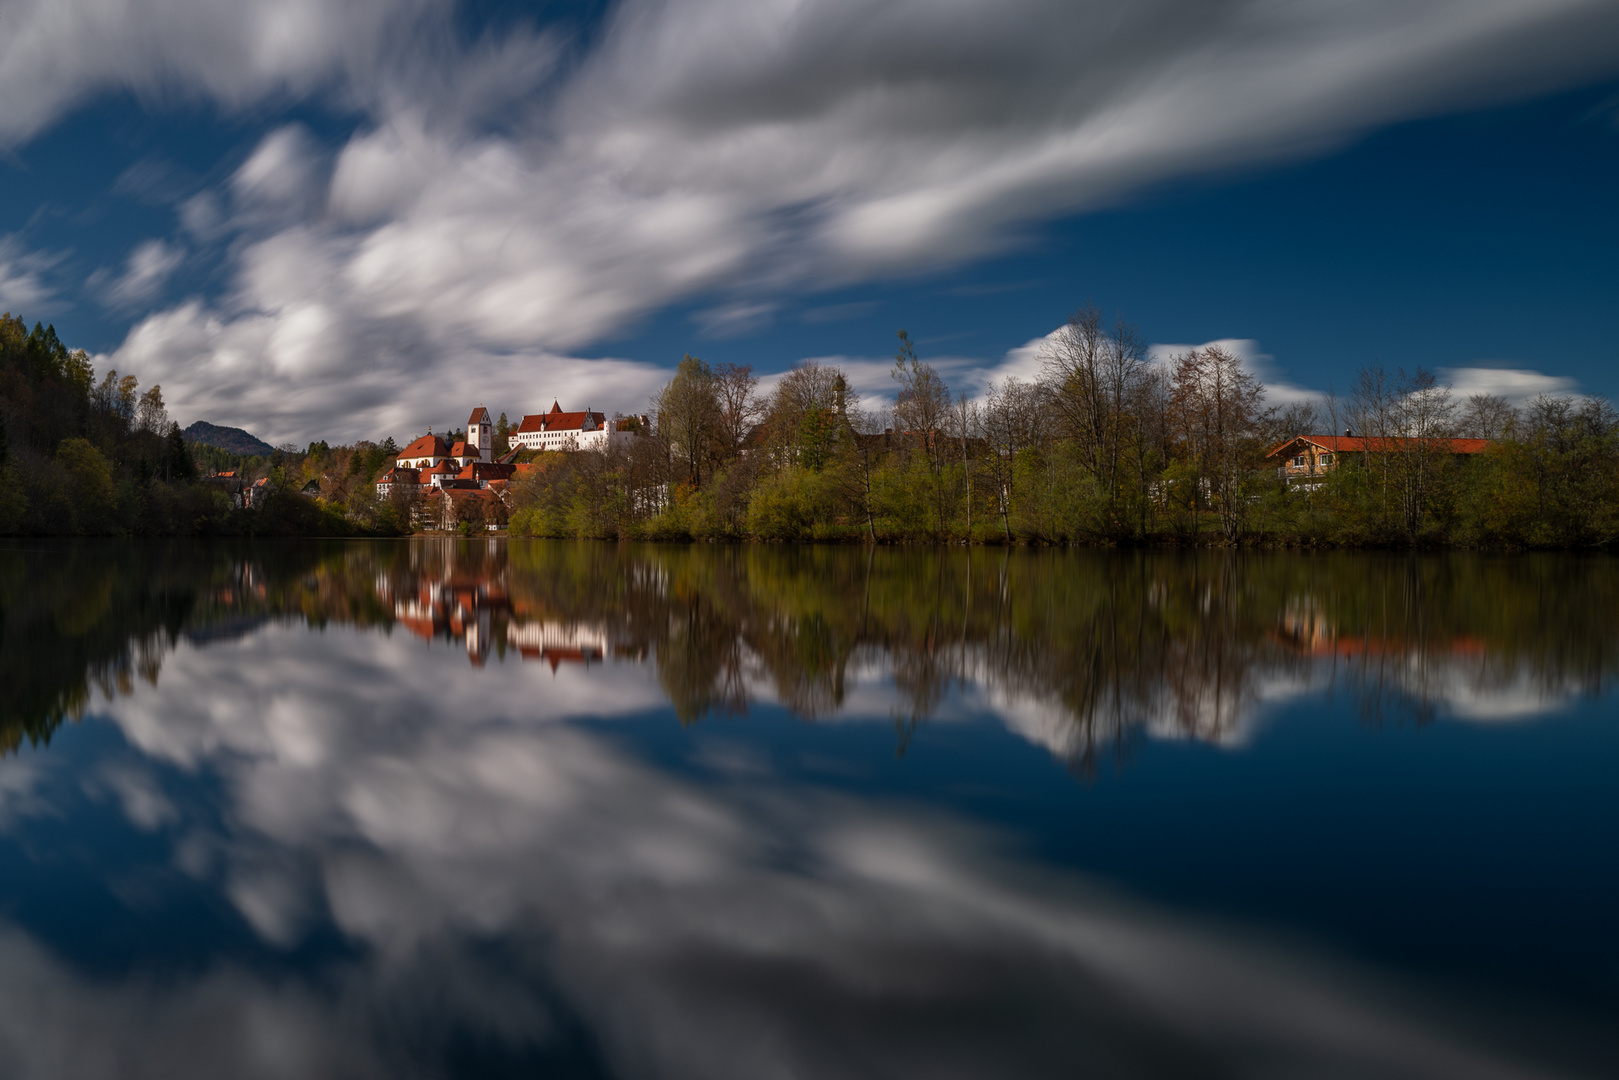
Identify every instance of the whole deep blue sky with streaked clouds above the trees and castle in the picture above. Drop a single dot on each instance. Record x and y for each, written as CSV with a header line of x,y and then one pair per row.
x,y
351,219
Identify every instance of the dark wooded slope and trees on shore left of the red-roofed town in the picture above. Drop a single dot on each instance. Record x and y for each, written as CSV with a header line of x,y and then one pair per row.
x,y
100,456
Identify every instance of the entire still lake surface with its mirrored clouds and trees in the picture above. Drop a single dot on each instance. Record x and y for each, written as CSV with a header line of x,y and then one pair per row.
x,y
579,810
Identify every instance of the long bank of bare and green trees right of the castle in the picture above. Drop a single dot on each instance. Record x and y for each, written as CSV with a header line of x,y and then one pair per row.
x,y
1105,448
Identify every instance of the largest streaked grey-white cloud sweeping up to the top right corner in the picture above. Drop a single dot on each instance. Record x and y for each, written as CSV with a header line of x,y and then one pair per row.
x,y
715,145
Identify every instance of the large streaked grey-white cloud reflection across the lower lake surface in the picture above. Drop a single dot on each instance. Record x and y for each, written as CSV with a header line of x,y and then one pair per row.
x,y
725,930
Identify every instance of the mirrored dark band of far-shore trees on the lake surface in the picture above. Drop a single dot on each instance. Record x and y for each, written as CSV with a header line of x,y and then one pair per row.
x,y
1097,644
